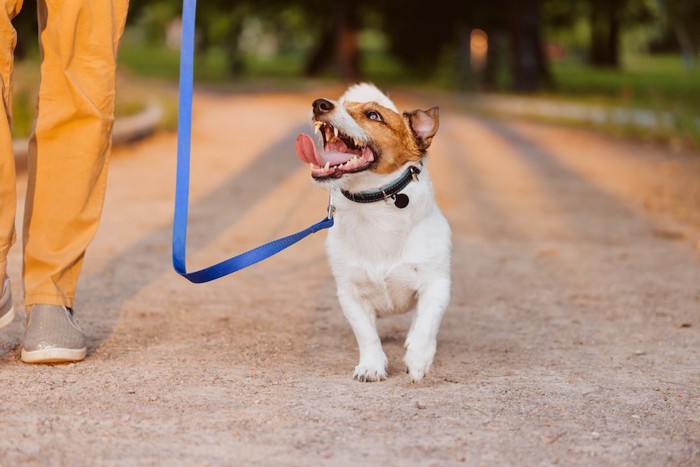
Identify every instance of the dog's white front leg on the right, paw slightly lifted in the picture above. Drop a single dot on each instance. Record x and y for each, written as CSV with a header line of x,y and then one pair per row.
x,y
421,341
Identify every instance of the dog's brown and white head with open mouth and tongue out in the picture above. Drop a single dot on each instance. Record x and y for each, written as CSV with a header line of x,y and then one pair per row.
x,y
364,132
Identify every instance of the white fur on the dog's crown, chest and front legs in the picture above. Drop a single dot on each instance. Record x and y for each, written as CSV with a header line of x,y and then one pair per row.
x,y
388,260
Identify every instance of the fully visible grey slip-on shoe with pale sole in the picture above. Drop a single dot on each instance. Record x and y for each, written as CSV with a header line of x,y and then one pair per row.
x,y
52,336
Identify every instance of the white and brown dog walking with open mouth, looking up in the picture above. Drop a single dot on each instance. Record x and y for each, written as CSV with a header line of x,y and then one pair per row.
x,y
390,247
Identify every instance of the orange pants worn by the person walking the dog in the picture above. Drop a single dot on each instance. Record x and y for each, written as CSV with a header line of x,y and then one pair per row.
x,y
70,145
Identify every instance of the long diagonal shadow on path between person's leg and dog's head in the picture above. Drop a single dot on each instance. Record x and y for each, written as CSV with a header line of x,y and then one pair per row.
x,y
106,291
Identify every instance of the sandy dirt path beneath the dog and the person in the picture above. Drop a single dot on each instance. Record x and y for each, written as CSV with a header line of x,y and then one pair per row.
x,y
572,338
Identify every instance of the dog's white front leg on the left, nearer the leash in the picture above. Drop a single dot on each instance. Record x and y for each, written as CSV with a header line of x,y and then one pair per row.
x,y
373,361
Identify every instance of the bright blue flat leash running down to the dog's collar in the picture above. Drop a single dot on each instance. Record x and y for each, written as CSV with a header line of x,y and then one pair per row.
x,y
182,187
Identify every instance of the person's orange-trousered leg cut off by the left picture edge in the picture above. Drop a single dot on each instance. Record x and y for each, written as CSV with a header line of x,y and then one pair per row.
x,y
8,196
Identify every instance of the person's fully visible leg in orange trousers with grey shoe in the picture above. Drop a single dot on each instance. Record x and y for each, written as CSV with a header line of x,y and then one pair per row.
x,y
67,164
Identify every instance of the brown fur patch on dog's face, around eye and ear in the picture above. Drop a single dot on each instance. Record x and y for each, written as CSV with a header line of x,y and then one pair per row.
x,y
393,137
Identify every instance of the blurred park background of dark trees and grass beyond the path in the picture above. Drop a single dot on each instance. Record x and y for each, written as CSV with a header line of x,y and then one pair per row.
x,y
635,62
